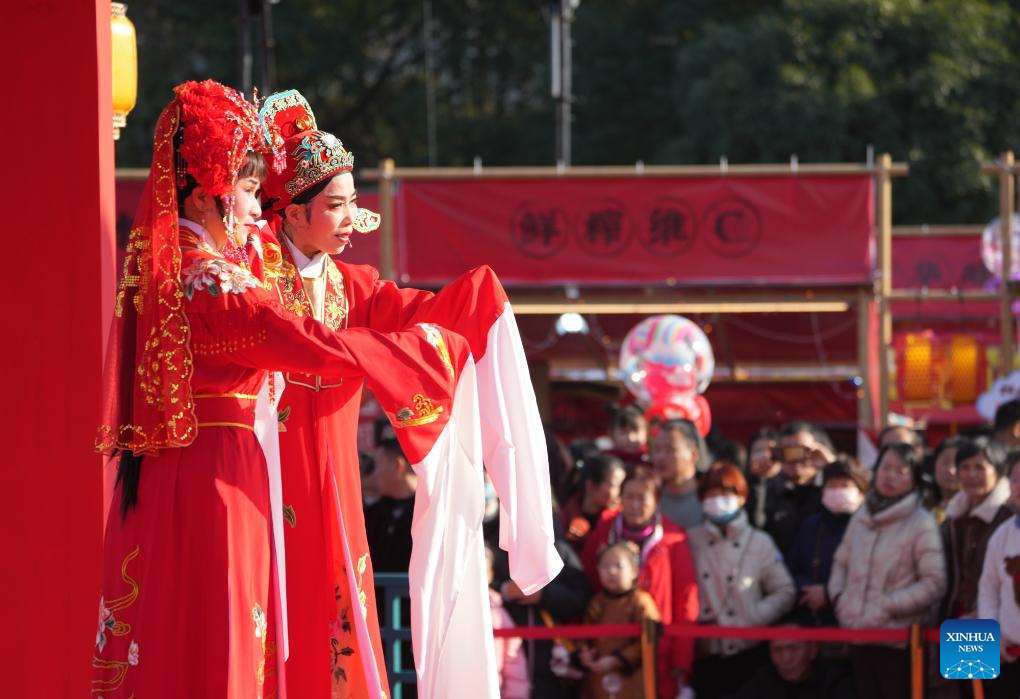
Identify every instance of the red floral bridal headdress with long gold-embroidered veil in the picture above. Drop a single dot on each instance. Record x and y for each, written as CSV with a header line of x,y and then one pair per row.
x,y
148,403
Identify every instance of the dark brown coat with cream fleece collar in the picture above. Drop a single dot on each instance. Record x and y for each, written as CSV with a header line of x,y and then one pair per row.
x,y
965,538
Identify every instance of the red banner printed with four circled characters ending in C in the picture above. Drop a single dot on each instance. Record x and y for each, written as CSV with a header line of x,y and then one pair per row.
x,y
730,231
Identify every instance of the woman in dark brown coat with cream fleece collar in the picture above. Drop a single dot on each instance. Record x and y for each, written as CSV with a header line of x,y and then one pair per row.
x,y
972,517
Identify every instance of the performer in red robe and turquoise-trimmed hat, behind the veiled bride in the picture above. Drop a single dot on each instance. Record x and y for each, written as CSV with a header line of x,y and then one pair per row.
x,y
334,642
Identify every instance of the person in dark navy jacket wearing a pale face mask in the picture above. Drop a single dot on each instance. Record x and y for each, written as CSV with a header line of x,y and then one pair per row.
x,y
844,484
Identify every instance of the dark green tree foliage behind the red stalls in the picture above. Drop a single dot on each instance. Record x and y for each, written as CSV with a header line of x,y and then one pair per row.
x,y
933,82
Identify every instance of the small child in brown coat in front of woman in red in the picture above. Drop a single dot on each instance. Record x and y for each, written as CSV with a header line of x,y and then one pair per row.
x,y
614,664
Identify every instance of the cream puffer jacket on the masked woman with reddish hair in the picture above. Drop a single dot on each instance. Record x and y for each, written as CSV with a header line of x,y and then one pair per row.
x,y
742,581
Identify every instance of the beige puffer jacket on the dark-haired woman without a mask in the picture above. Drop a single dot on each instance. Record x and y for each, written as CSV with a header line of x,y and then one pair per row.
x,y
890,570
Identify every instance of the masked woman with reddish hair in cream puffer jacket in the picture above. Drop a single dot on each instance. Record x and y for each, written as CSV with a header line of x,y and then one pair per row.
x,y
742,582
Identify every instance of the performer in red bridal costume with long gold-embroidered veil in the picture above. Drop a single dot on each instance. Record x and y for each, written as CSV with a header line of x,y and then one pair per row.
x,y
187,606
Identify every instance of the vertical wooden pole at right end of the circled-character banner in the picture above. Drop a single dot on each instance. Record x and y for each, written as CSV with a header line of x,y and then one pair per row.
x,y
884,206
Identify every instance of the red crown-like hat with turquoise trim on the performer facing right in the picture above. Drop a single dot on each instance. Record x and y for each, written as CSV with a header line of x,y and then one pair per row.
x,y
301,156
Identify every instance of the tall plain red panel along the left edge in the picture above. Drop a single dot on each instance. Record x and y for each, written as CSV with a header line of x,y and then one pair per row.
x,y
60,293
